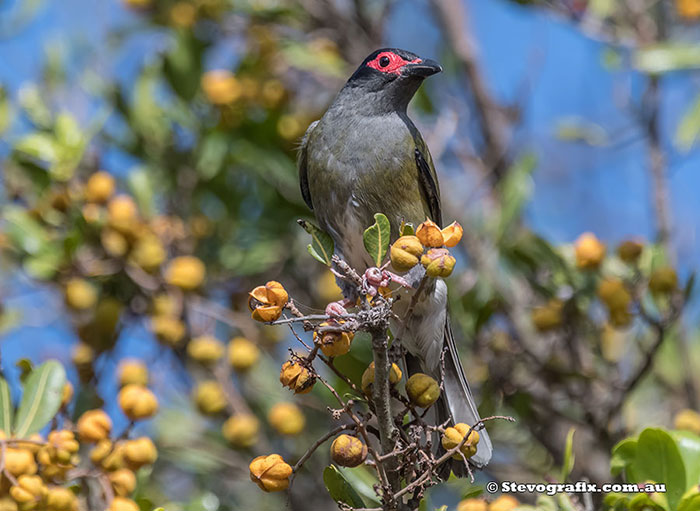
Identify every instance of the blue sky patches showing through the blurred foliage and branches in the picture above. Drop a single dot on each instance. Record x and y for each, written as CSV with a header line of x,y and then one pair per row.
x,y
577,188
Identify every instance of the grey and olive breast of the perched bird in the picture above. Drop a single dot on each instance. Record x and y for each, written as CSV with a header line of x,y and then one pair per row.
x,y
359,167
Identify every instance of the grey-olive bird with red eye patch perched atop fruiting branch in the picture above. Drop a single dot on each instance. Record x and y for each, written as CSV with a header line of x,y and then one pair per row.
x,y
365,156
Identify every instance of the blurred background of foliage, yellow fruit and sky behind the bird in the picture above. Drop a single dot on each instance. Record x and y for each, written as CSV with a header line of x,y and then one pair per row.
x,y
148,183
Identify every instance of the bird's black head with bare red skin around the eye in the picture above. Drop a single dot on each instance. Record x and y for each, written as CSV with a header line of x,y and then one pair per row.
x,y
392,75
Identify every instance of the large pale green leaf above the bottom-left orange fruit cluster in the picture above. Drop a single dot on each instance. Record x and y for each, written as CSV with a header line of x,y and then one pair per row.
x,y
41,398
